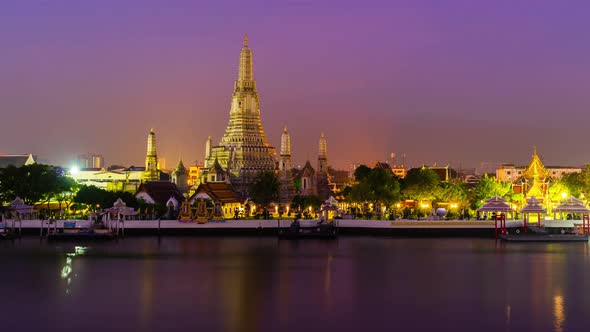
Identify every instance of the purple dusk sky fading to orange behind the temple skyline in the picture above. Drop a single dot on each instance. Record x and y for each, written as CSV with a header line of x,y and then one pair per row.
x,y
446,82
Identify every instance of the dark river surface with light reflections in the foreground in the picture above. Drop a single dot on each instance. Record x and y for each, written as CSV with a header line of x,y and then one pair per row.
x,y
261,284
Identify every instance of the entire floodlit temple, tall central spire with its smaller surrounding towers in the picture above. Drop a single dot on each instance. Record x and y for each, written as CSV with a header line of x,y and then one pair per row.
x,y
243,152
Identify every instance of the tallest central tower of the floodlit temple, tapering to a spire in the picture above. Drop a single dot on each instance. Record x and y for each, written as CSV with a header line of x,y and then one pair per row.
x,y
244,150
